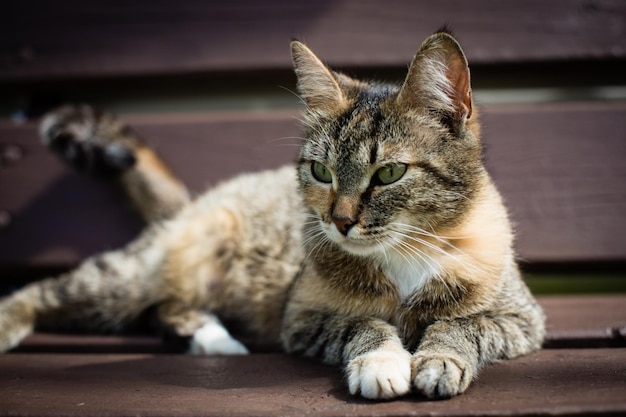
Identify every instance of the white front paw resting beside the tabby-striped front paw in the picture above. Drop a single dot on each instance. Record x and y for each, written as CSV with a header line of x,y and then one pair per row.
x,y
380,374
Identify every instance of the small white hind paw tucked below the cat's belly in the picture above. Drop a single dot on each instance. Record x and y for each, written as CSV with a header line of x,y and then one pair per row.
x,y
214,339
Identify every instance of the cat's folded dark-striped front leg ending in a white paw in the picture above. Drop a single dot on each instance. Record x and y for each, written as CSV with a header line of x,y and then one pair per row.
x,y
377,365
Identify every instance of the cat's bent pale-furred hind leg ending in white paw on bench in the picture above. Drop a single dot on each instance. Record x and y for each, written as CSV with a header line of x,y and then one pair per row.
x,y
196,268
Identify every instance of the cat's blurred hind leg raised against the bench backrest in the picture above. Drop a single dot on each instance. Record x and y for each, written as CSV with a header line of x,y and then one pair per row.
x,y
99,144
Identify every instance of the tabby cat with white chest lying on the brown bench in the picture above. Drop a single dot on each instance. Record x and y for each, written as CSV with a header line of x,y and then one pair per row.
x,y
386,250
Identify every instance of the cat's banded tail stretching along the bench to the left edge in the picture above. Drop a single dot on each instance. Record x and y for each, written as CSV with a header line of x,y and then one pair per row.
x,y
106,292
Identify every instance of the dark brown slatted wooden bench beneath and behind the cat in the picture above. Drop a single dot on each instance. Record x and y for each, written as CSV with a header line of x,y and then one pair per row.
x,y
200,81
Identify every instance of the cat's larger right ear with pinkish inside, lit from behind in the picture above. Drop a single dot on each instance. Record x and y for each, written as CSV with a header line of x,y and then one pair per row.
x,y
439,78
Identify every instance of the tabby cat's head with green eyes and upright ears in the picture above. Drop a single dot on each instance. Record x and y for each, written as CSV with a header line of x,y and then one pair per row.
x,y
382,160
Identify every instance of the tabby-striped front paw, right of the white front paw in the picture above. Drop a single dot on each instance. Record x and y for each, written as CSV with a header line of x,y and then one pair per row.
x,y
440,375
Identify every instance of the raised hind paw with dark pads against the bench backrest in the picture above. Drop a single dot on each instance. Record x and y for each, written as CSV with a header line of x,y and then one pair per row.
x,y
90,141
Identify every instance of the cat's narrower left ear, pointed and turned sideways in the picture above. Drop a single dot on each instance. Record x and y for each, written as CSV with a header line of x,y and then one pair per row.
x,y
317,84
